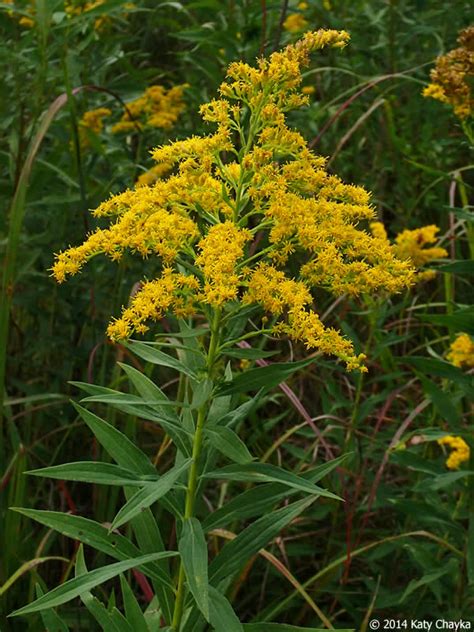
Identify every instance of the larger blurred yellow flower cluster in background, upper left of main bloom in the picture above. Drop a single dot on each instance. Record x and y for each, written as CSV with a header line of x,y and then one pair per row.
x,y
156,107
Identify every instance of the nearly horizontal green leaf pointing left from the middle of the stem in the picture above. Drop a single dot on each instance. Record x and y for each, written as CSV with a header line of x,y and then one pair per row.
x,y
92,472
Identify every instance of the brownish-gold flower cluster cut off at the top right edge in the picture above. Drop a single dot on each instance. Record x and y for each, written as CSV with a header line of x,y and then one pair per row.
x,y
452,77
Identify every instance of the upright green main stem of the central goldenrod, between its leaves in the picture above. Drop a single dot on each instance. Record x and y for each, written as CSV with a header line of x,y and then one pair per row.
x,y
194,469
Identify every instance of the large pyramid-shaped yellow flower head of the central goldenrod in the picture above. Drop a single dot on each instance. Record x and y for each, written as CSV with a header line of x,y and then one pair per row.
x,y
242,206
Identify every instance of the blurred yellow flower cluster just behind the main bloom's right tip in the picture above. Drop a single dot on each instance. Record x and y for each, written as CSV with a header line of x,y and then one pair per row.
x,y
410,246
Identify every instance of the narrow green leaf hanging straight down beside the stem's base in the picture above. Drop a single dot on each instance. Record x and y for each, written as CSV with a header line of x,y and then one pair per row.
x,y
193,550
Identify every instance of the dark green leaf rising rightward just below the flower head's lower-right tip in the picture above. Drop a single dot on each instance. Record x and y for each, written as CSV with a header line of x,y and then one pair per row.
x,y
263,377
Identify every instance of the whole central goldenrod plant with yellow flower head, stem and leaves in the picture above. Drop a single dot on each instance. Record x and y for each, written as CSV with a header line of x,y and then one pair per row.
x,y
248,222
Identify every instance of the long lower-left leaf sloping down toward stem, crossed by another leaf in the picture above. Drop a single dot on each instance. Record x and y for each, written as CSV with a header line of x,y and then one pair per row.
x,y
95,535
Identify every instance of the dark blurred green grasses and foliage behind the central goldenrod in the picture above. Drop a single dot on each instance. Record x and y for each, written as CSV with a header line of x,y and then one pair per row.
x,y
402,544
